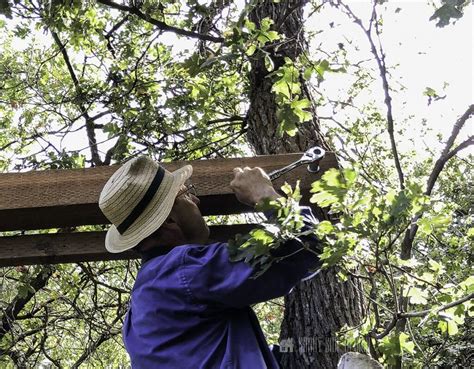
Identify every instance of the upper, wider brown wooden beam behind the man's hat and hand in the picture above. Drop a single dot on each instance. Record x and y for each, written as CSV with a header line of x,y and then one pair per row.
x,y
64,198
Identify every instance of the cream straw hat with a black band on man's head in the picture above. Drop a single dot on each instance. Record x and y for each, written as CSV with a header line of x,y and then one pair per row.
x,y
137,199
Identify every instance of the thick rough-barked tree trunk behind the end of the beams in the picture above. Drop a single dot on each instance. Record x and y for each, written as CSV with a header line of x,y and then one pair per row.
x,y
315,310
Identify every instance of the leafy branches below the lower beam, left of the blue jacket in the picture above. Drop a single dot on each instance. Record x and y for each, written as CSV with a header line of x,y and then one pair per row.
x,y
79,310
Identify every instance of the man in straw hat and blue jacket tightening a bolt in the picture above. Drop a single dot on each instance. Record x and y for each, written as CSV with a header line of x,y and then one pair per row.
x,y
190,305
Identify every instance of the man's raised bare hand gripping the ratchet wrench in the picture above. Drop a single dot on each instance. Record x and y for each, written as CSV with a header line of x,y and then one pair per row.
x,y
252,186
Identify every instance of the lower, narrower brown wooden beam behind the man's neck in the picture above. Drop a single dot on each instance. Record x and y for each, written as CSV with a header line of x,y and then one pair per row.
x,y
75,247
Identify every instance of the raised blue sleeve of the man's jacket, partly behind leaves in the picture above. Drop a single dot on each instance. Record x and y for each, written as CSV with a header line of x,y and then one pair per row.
x,y
211,277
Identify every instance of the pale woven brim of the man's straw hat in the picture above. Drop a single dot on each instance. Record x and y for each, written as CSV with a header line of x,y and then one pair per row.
x,y
152,218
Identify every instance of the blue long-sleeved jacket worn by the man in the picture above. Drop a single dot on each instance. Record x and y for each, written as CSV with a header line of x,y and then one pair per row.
x,y
190,308
